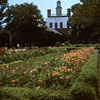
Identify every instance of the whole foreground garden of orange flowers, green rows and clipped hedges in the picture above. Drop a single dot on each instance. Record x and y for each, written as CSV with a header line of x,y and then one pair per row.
x,y
50,73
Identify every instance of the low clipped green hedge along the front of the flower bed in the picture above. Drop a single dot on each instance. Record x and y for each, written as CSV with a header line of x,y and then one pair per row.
x,y
18,93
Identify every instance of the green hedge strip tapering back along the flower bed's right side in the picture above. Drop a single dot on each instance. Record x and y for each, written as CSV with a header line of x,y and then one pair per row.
x,y
85,86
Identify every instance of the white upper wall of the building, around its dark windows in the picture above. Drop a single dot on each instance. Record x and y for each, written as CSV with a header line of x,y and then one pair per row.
x,y
58,20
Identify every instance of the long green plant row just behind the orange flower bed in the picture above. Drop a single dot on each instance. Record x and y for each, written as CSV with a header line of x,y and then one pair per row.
x,y
7,58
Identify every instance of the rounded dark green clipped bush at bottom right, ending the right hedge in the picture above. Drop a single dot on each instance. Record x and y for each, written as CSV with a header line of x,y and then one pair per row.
x,y
83,91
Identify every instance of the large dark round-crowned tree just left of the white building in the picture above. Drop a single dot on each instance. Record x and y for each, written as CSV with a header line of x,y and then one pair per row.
x,y
23,23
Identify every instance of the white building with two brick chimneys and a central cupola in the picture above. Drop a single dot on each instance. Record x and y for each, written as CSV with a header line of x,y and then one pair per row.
x,y
58,20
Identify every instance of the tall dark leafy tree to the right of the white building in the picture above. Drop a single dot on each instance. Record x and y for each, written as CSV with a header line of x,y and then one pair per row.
x,y
85,21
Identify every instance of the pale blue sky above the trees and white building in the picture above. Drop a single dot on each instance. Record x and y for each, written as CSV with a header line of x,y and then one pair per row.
x,y
43,5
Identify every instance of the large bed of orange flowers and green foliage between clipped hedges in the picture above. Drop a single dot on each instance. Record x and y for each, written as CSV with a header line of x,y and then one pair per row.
x,y
56,71
